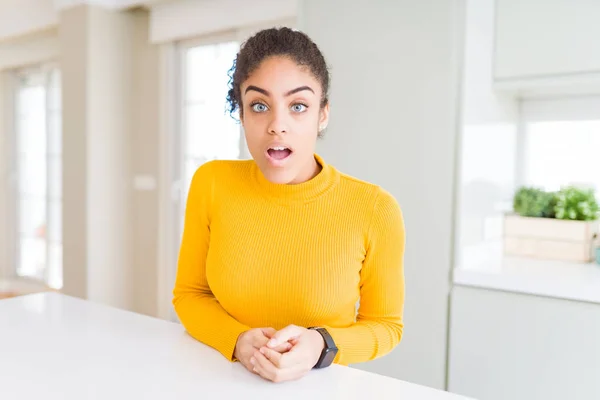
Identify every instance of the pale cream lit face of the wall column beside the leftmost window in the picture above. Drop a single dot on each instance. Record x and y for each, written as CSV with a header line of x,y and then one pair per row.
x,y
109,154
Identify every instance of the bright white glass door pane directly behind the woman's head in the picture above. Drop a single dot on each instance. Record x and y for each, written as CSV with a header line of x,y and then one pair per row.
x,y
207,132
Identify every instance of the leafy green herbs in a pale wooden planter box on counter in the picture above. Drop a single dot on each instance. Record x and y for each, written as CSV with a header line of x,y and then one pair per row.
x,y
552,225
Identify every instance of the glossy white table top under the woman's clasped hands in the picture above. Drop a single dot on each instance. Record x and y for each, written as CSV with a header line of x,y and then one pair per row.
x,y
57,347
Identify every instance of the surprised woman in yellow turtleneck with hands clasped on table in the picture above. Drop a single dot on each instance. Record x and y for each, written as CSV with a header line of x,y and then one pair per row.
x,y
278,250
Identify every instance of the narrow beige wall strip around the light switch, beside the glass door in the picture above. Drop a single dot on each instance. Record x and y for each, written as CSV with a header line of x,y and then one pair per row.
x,y
145,150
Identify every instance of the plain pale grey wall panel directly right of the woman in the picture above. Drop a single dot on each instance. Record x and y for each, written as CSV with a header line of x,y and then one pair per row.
x,y
394,118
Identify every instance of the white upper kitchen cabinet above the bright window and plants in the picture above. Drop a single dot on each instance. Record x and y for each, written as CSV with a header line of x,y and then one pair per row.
x,y
538,39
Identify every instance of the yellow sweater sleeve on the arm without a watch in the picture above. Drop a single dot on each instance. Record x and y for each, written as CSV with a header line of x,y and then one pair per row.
x,y
197,308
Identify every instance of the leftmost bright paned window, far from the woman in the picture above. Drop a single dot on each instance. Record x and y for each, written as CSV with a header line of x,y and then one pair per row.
x,y
38,168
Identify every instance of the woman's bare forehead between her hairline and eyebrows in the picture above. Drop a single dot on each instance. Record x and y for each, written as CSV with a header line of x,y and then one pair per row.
x,y
281,74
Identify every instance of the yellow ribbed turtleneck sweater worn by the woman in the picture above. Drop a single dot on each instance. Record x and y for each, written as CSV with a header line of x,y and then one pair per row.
x,y
257,254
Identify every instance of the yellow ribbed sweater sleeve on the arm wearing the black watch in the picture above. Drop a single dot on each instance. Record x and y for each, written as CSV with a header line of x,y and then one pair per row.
x,y
379,323
